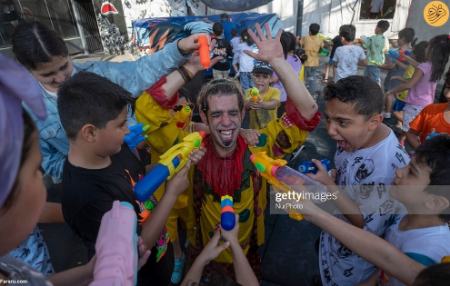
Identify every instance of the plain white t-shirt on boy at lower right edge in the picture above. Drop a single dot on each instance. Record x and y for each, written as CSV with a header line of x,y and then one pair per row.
x,y
425,245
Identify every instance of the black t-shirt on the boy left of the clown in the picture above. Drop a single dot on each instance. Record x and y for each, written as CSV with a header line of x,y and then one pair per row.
x,y
88,194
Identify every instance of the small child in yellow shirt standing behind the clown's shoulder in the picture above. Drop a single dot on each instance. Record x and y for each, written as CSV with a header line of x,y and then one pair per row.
x,y
262,107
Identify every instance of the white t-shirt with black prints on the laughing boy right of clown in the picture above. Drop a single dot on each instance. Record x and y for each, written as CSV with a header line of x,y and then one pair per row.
x,y
366,174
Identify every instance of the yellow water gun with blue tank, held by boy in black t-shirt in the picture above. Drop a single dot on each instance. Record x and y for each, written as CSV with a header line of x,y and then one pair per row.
x,y
169,164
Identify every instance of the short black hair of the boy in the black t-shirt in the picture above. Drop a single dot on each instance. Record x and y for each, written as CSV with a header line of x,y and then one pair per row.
x,y
87,98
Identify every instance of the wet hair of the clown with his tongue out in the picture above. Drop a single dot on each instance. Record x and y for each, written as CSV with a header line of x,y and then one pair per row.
x,y
216,87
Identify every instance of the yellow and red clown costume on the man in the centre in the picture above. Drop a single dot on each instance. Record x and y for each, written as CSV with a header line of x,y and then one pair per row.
x,y
235,176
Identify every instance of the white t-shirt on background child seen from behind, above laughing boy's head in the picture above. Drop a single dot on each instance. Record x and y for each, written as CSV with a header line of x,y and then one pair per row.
x,y
346,58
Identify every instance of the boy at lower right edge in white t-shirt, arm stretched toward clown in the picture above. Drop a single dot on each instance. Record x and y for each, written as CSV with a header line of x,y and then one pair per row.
x,y
415,240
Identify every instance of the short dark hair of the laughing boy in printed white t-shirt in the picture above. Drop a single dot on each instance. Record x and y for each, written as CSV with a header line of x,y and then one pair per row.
x,y
364,93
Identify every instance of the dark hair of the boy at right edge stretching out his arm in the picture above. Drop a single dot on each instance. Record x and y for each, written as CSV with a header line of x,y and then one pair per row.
x,y
435,153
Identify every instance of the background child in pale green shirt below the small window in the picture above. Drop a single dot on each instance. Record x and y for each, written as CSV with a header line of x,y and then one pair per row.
x,y
376,46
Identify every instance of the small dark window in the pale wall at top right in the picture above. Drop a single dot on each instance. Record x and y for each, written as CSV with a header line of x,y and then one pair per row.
x,y
377,9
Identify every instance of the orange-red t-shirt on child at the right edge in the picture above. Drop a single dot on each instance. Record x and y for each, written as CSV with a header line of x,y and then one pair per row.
x,y
431,117
